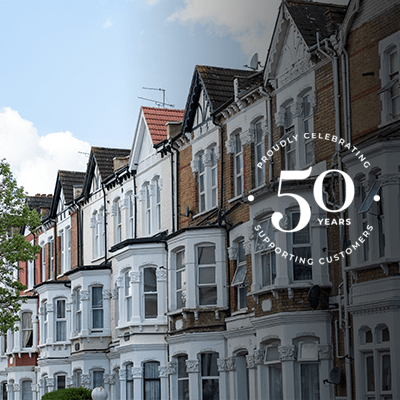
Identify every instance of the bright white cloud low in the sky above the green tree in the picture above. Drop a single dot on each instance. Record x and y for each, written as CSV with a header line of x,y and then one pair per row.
x,y
36,159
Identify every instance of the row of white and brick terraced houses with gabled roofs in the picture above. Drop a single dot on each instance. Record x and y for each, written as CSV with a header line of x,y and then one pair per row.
x,y
157,278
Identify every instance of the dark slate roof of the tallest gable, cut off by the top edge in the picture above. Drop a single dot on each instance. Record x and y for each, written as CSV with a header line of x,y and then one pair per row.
x,y
310,18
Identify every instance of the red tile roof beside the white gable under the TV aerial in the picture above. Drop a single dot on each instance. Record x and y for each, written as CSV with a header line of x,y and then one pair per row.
x,y
156,119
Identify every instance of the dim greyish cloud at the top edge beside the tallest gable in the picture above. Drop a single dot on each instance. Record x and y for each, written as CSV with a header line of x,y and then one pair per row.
x,y
250,22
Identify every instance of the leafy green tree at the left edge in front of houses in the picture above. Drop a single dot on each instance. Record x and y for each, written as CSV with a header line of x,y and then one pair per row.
x,y
14,214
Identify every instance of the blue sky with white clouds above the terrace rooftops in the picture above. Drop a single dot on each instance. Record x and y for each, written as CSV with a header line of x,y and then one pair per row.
x,y
72,71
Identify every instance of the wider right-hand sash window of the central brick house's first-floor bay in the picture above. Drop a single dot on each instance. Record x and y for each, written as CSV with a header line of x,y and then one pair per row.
x,y
206,278
